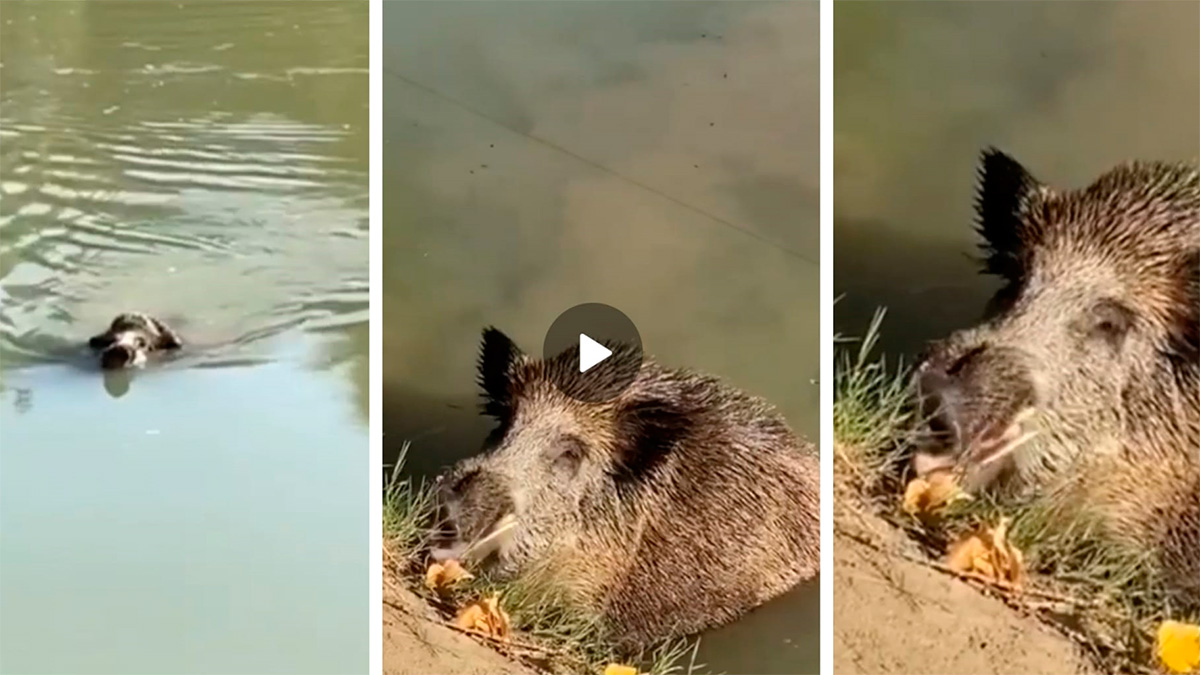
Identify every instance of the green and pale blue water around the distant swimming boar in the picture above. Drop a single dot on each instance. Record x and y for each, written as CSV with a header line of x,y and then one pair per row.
x,y
205,163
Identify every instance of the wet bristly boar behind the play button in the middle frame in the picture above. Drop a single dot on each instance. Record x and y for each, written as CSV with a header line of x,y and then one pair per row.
x,y
677,506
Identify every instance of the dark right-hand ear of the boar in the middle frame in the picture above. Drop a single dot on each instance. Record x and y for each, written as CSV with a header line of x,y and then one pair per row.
x,y
647,431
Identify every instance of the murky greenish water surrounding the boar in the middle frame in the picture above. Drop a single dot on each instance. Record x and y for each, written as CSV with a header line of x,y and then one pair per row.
x,y
661,158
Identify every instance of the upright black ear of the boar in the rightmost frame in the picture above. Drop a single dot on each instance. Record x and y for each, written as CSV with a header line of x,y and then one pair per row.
x,y
1005,193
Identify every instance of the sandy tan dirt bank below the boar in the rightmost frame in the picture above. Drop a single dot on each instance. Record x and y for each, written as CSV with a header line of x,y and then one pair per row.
x,y
897,617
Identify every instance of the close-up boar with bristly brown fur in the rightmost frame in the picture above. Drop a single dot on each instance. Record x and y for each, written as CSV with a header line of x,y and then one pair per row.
x,y
1097,328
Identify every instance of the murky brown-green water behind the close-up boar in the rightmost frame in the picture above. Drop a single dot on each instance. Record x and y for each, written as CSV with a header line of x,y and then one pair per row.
x,y
1070,89
